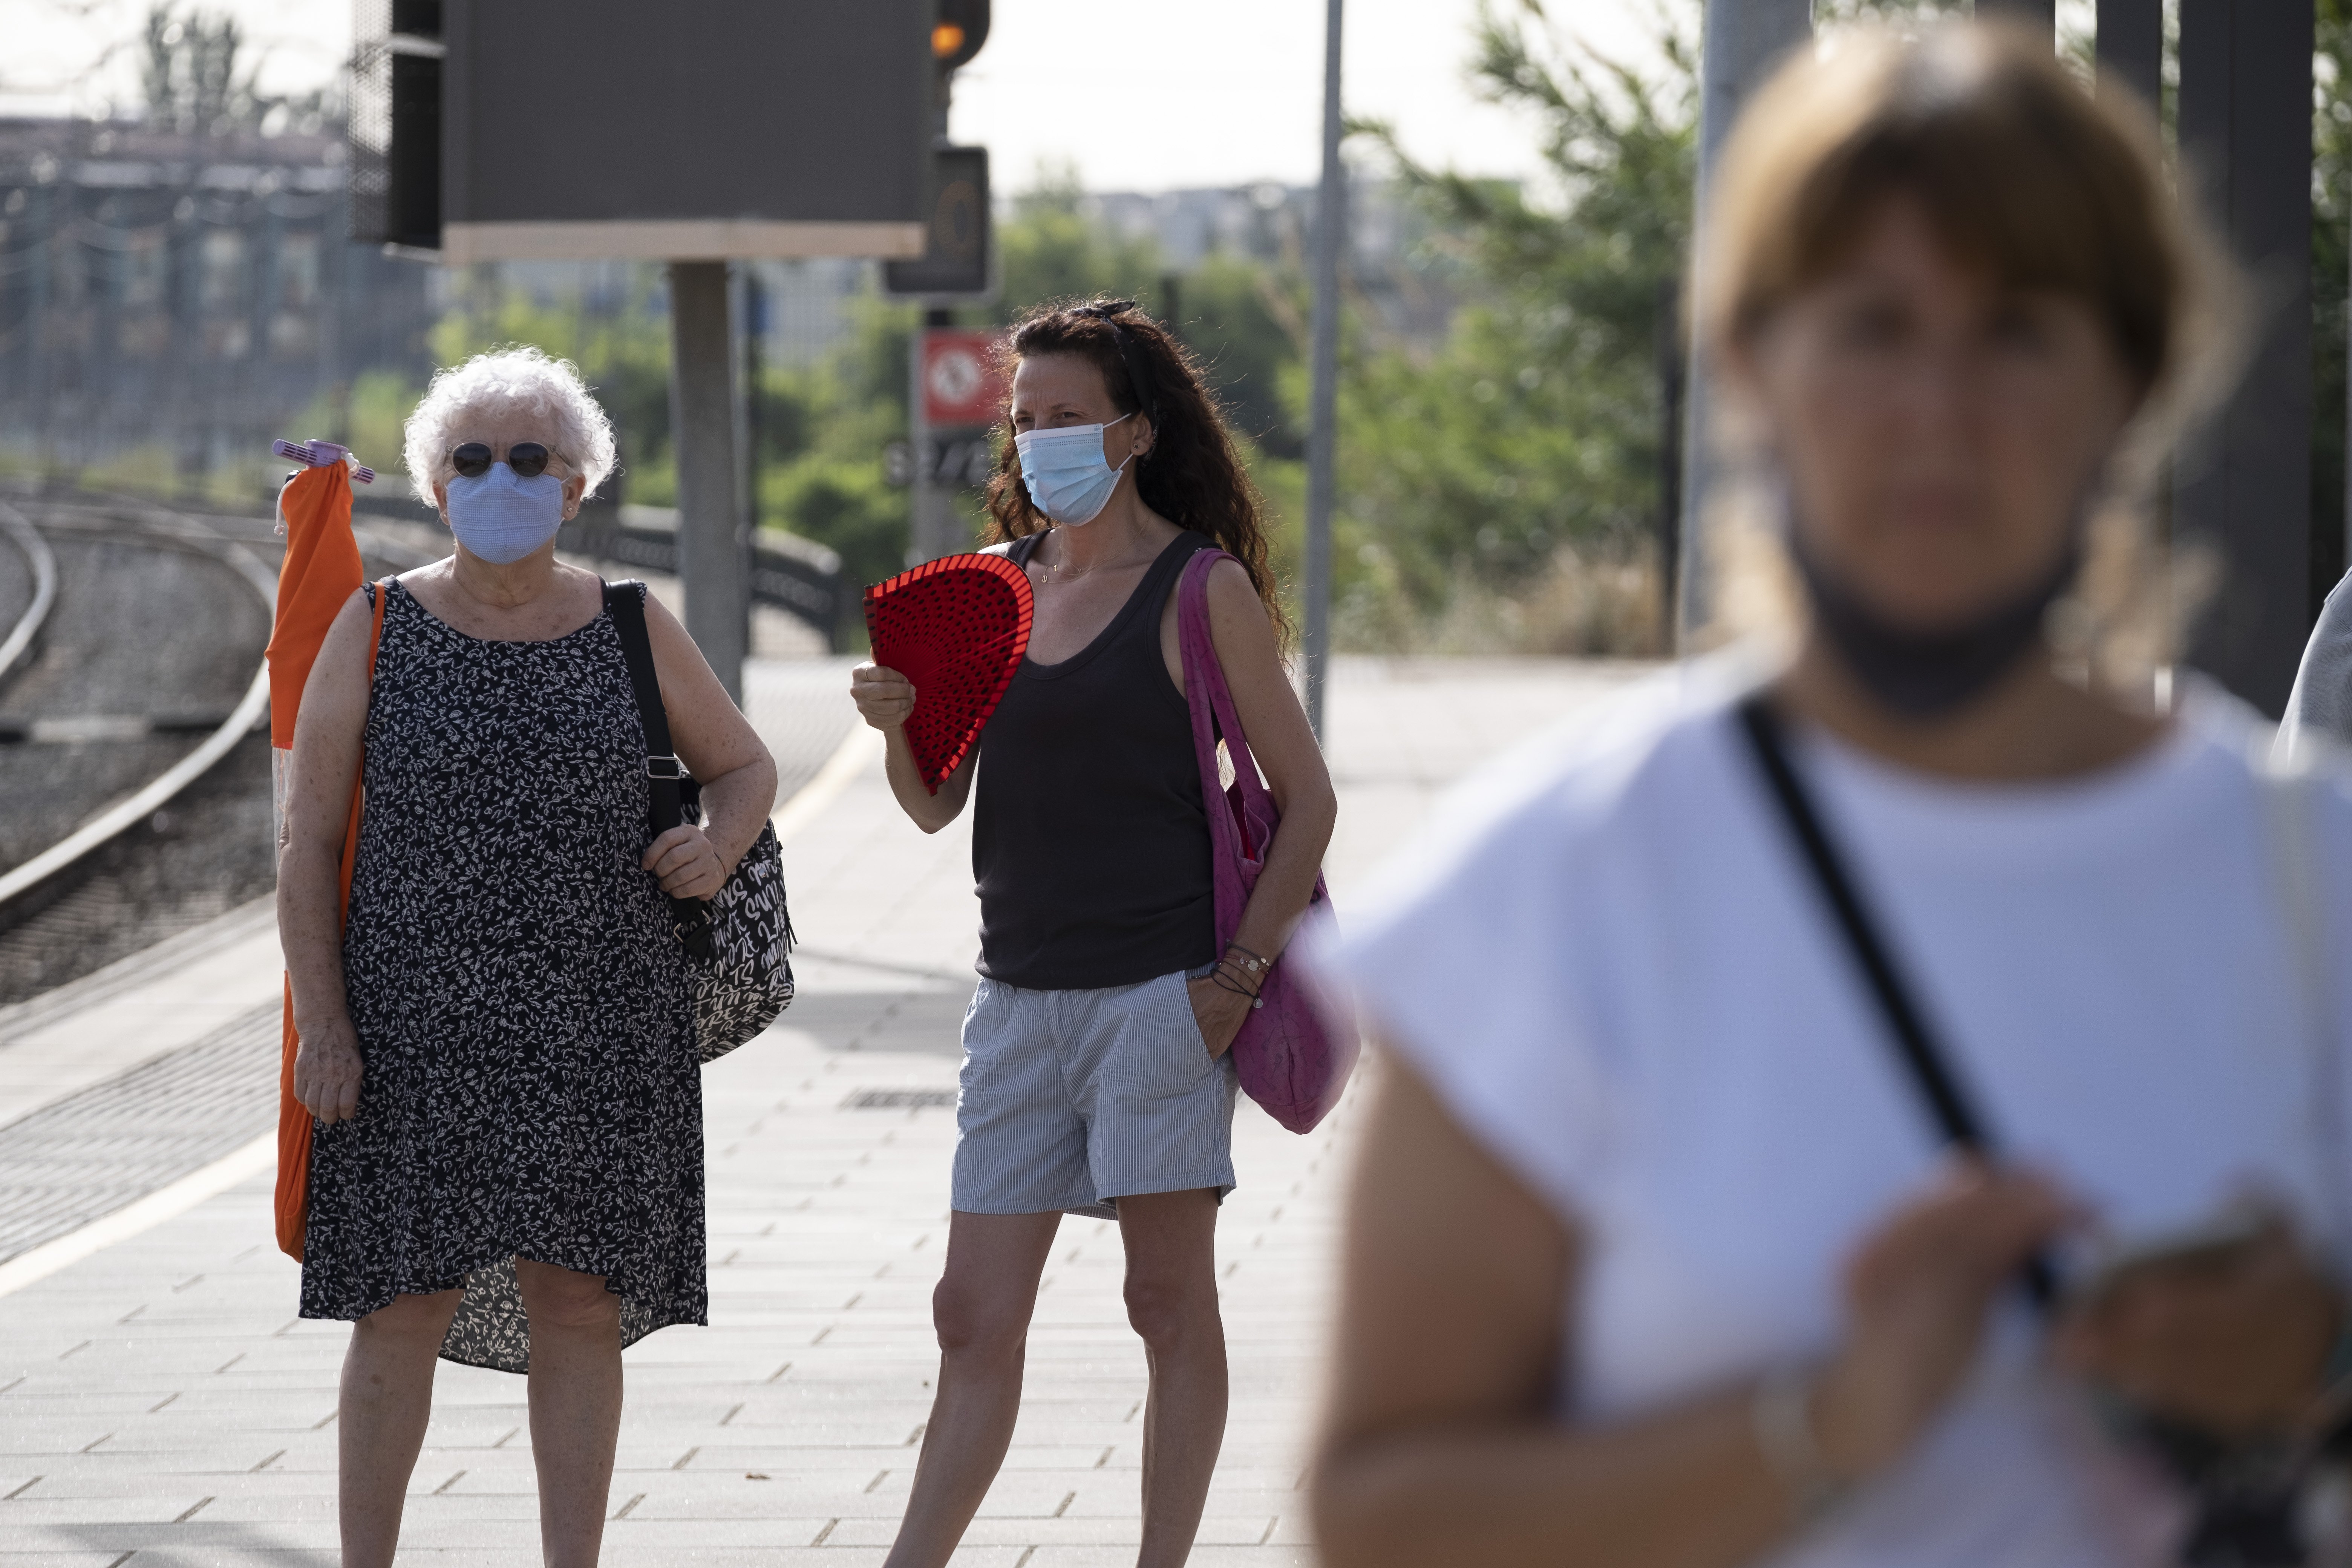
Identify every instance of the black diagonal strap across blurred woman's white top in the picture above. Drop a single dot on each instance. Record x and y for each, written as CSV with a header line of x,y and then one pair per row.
x,y
1923,1057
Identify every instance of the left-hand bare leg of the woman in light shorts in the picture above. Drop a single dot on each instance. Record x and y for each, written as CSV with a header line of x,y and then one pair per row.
x,y
982,1313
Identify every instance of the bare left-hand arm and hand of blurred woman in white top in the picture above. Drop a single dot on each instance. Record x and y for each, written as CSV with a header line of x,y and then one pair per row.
x,y
1441,1445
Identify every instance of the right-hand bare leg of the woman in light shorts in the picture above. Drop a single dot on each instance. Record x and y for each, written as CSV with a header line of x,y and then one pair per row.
x,y
1172,1304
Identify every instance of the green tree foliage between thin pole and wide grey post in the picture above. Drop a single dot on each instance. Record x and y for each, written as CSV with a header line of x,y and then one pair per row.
x,y
1539,422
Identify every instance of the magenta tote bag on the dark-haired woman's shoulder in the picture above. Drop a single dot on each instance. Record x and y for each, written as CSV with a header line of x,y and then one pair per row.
x,y
1297,1050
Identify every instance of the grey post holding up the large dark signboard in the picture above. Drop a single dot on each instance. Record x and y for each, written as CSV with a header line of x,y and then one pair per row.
x,y
714,561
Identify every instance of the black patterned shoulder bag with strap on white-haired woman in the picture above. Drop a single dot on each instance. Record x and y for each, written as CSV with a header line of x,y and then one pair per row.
x,y
740,944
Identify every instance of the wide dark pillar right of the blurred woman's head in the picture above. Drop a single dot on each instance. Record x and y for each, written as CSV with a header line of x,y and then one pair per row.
x,y
2247,483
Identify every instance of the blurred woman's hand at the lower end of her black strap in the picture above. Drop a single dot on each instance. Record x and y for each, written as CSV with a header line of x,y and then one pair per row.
x,y
1918,1294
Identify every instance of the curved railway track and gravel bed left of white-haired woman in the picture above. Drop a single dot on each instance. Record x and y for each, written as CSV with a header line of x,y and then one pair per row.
x,y
133,746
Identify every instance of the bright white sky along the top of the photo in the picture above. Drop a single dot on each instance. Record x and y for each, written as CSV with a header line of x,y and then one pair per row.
x,y
1137,95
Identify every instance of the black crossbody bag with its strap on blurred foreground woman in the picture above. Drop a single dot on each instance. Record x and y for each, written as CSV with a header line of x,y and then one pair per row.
x,y
2245,1506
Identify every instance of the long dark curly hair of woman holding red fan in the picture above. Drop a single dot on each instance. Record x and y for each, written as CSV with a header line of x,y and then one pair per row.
x,y
1191,476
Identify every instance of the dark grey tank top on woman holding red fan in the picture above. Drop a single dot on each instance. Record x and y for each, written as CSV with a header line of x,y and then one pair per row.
x,y
1090,840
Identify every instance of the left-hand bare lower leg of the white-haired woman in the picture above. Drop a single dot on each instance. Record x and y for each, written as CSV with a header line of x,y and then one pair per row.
x,y
382,1419
